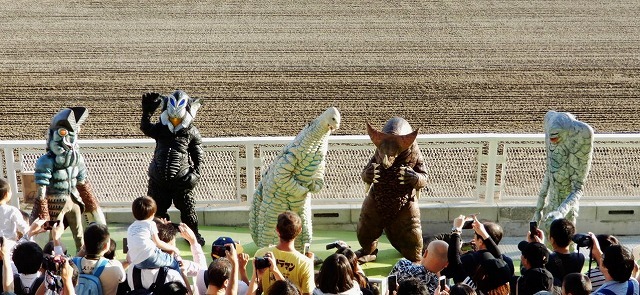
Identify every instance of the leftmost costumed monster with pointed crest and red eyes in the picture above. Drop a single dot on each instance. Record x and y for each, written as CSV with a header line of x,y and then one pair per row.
x,y
61,176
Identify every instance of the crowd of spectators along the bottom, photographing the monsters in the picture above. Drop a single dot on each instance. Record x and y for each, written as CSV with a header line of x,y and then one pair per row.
x,y
449,265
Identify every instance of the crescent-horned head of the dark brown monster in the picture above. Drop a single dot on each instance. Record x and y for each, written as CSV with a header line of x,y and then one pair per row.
x,y
395,138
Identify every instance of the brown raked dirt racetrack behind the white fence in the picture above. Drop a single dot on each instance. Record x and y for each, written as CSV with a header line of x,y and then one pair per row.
x,y
267,68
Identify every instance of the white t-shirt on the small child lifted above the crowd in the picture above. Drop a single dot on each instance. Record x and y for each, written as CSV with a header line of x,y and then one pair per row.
x,y
139,240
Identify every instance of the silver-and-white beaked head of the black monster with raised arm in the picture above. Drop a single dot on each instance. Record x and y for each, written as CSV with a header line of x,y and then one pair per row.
x,y
179,110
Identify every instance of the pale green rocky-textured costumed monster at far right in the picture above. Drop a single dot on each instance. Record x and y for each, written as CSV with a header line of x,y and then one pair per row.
x,y
569,144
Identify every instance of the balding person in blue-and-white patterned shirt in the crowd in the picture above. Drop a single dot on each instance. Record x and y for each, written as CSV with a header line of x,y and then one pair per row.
x,y
434,260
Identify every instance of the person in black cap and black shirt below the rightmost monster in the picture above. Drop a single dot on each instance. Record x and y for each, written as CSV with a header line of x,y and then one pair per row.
x,y
535,277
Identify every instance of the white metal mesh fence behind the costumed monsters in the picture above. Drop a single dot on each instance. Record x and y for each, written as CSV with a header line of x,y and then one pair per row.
x,y
484,168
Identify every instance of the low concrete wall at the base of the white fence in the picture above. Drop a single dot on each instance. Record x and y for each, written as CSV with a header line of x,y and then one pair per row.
x,y
597,217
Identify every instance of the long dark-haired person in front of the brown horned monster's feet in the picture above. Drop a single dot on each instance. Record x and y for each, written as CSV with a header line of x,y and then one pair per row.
x,y
336,277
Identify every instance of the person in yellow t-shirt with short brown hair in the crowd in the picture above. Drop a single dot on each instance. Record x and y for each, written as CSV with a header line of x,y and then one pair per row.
x,y
295,266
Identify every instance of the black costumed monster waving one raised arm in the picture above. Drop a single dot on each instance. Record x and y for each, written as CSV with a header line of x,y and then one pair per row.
x,y
174,171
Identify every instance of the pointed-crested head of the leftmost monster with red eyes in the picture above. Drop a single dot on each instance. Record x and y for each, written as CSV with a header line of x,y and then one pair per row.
x,y
63,134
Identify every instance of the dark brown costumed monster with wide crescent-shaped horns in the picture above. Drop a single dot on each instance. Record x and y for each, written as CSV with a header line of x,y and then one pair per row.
x,y
394,176
